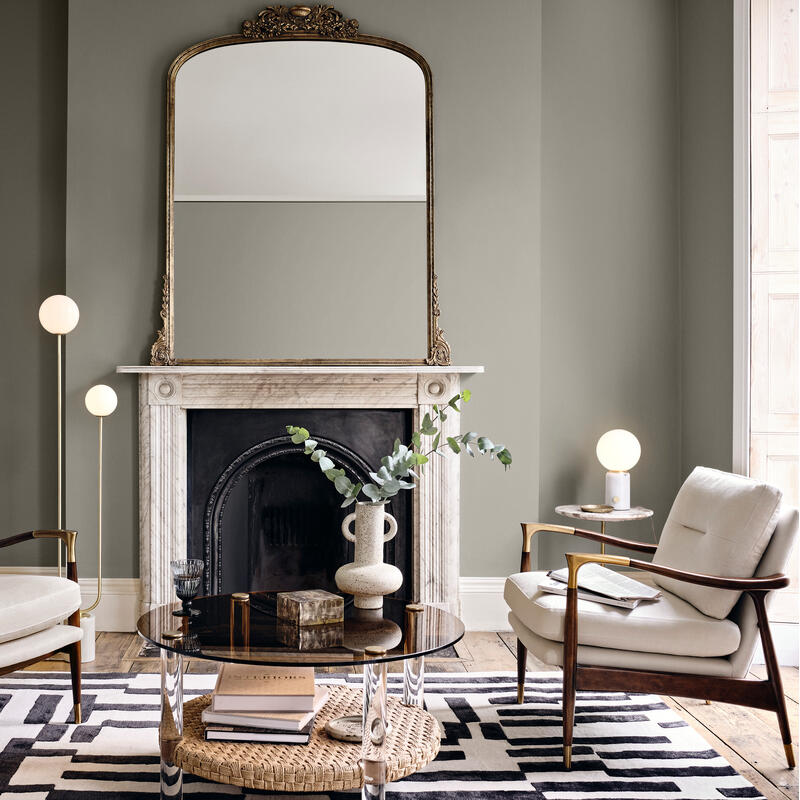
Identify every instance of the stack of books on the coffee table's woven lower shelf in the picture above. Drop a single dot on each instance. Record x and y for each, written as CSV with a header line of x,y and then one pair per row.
x,y
263,704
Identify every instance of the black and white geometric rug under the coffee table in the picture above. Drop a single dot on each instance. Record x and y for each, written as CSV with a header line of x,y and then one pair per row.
x,y
626,745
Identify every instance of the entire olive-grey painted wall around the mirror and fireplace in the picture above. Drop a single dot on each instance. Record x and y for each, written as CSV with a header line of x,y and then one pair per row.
x,y
575,304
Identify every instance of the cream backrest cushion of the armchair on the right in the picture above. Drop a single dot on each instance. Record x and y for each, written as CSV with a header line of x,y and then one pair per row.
x,y
720,524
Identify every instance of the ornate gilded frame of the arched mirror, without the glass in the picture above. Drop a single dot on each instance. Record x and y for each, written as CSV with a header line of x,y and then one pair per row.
x,y
283,23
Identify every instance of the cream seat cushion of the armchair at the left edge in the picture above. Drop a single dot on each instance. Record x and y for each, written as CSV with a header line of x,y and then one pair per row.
x,y
31,603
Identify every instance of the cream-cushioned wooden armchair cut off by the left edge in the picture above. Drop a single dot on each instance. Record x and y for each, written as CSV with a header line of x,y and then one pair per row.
x,y
32,608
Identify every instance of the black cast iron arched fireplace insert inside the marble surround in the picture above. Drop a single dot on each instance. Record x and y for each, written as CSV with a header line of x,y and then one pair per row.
x,y
263,516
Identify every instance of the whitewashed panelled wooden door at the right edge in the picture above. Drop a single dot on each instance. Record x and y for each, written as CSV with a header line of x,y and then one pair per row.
x,y
775,275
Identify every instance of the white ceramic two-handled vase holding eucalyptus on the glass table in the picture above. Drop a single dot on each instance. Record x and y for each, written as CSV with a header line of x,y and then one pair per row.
x,y
367,578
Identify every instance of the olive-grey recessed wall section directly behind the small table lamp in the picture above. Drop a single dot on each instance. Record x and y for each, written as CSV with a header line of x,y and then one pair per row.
x,y
610,300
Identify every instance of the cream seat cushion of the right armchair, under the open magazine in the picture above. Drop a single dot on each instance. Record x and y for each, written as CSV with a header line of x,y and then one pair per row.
x,y
669,625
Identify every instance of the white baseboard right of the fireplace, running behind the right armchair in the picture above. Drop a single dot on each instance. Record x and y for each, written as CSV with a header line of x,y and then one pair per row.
x,y
483,609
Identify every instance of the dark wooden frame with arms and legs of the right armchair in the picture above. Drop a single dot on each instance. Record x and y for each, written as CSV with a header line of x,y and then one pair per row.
x,y
766,694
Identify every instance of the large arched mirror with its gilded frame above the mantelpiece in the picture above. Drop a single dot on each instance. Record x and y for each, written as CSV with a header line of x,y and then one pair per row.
x,y
299,198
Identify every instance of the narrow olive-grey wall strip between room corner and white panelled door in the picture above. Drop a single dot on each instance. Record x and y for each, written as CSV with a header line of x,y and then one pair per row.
x,y
705,32
